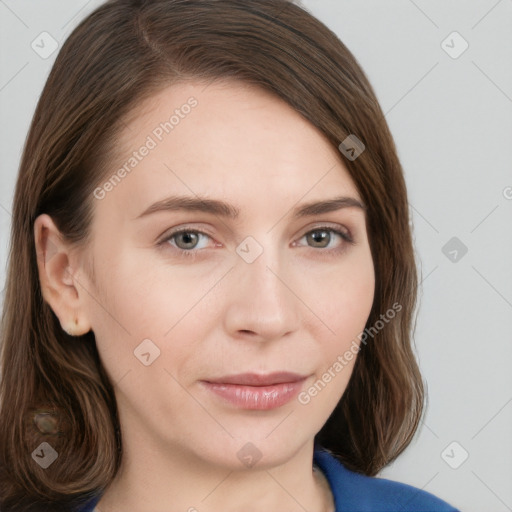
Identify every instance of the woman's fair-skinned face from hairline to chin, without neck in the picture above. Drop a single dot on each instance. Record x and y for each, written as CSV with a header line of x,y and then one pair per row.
x,y
268,290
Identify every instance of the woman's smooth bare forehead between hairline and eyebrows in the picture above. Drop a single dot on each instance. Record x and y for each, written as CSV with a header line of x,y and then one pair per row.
x,y
227,139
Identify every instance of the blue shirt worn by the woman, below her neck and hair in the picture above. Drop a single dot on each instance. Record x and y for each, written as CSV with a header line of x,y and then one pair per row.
x,y
354,492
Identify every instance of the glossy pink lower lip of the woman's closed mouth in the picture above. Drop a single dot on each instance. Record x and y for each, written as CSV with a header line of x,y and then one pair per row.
x,y
256,397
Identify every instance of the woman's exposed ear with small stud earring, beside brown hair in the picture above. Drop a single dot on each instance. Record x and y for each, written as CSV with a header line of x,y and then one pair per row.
x,y
57,265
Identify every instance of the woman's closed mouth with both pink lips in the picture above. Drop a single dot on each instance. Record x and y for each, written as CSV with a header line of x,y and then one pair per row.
x,y
256,391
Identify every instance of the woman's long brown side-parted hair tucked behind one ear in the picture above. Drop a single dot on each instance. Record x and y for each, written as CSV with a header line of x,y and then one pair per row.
x,y
122,53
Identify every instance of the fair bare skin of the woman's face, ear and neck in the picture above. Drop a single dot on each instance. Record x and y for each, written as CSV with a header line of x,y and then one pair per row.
x,y
296,307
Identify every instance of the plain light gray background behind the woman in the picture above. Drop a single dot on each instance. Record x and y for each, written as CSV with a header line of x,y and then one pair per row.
x,y
452,123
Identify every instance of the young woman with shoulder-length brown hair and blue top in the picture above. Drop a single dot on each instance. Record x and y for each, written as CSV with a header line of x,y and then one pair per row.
x,y
211,282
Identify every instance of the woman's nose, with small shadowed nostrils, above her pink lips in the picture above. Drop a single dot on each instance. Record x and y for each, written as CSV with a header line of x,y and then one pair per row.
x,y
261,304
